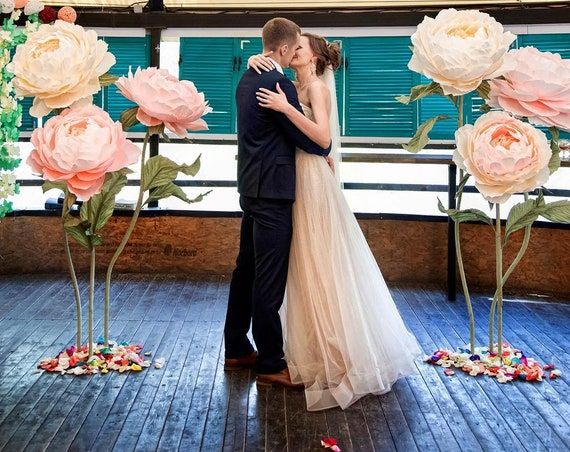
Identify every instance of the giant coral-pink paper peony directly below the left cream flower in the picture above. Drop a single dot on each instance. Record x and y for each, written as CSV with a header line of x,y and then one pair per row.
x,y
79,147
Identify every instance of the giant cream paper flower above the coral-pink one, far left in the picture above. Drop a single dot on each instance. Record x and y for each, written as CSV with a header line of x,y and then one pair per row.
x,y
59,65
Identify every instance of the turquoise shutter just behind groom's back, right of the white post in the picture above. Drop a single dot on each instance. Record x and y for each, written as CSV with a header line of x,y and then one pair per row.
x,y
210,64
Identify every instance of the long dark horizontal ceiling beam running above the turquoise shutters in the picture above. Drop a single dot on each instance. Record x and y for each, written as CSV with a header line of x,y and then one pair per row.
x,y
315,18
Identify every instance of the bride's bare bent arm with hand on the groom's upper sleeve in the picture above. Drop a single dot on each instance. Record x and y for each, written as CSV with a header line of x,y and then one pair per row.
x,y
319,130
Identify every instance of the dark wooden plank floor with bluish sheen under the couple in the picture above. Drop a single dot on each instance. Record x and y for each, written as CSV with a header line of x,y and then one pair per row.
x,y
191,404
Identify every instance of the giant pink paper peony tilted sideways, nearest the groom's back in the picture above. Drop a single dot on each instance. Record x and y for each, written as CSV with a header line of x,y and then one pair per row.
x,y
163,99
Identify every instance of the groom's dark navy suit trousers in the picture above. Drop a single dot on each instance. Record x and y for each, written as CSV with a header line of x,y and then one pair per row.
x,y
258,282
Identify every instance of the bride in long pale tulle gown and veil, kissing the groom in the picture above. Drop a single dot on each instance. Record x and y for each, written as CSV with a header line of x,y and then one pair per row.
x,y
344,337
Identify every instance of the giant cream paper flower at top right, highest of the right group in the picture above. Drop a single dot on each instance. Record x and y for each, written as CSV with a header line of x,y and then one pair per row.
x,y
460,49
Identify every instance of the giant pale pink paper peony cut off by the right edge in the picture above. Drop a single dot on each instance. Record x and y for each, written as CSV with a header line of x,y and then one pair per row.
x,y
538,87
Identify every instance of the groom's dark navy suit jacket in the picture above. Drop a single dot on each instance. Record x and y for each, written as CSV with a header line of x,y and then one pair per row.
x,y
267,139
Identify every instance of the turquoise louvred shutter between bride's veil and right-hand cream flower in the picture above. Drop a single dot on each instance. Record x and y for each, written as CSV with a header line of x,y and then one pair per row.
x,y
377,72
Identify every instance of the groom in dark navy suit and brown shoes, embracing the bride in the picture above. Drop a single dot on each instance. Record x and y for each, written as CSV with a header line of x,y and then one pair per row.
x,y
266,183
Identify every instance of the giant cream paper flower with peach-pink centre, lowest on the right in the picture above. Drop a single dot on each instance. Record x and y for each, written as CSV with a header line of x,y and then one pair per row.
x,y
504,155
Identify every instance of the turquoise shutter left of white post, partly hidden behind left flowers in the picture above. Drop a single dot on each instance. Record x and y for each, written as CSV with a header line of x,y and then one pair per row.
x,y
129,52
